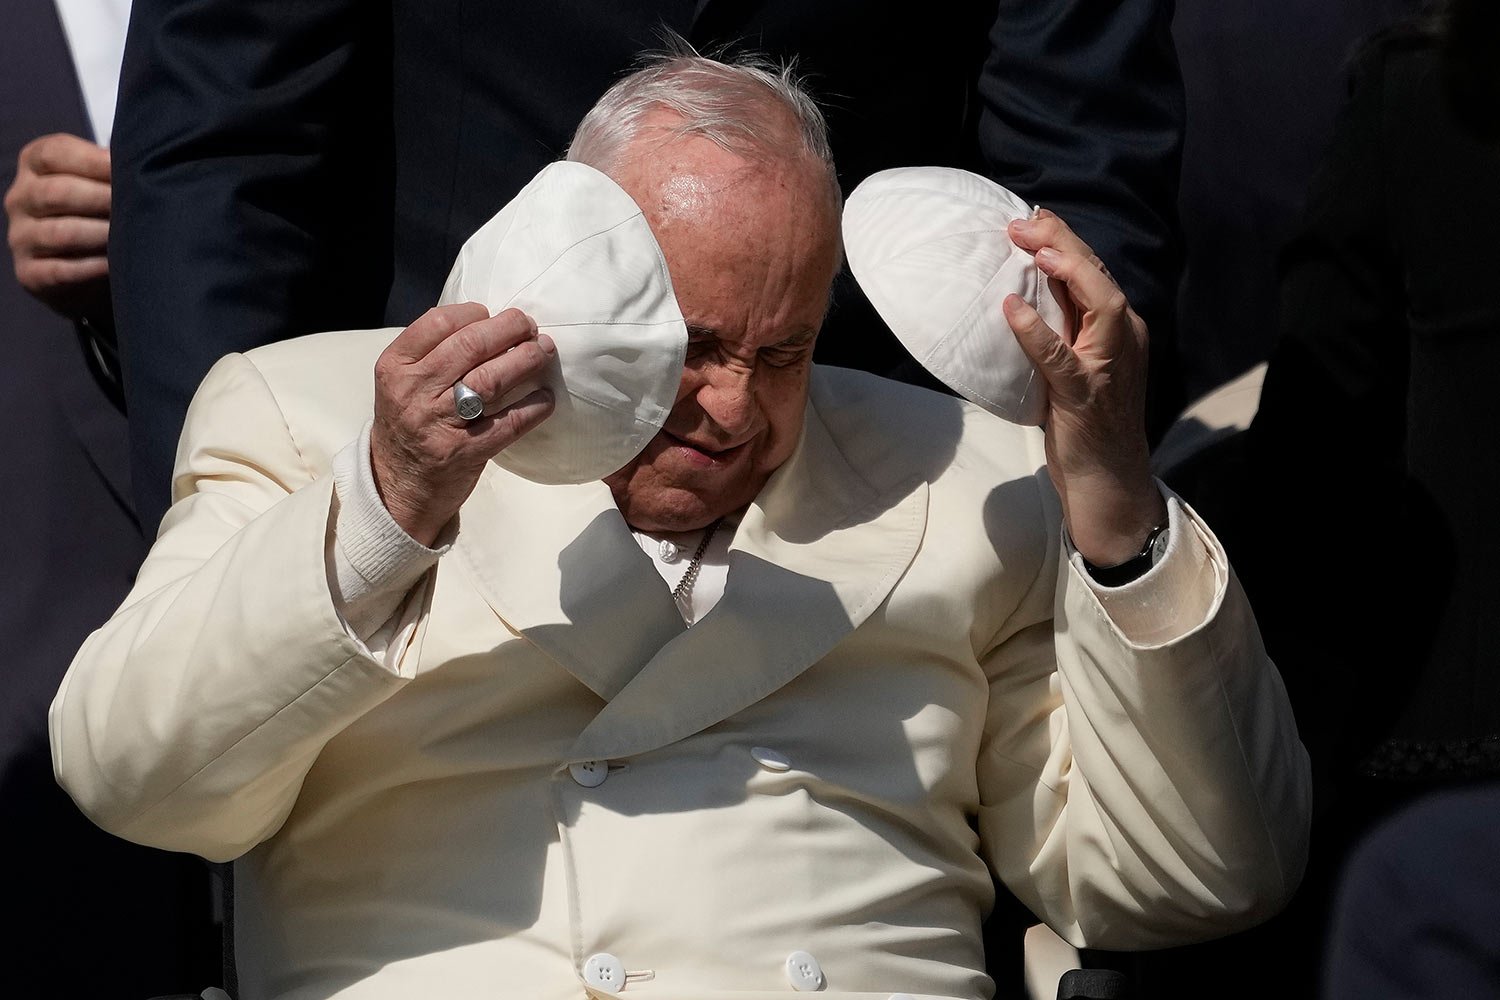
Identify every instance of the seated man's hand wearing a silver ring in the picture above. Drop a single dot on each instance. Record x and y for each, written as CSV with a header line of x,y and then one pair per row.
x,y
427,460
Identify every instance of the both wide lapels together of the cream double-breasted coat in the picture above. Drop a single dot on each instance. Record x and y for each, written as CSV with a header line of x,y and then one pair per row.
x,y
812,558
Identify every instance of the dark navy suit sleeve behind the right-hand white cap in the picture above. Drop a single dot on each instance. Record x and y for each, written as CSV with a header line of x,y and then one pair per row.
x,y
1082,112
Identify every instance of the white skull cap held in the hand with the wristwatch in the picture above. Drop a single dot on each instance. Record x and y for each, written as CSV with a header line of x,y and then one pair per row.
x,y
929,248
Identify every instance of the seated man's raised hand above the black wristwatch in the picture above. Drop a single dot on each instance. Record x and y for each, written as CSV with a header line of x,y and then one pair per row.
x,y
1097,451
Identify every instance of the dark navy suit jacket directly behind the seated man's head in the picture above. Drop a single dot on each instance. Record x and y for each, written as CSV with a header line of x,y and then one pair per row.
x,y
286,169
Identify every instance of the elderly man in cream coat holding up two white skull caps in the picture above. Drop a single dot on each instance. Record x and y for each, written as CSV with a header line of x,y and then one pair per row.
x,y
458,737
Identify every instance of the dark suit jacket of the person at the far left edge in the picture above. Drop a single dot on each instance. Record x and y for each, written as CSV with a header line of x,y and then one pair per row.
x,y
86,914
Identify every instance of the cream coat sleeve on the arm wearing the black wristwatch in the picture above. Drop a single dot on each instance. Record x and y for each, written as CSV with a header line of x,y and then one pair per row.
x,y
1142,794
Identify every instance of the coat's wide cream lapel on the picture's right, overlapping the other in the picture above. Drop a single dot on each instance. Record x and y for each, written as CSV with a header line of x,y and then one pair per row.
x,y
812,558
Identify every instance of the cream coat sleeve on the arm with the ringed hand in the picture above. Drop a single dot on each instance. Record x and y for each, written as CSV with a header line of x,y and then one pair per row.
x,y
190,720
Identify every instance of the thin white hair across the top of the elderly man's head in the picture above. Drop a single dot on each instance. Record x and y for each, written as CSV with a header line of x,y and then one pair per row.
x,y
748,106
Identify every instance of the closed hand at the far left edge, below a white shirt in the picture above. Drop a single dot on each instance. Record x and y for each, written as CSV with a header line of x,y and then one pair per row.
x,y
59,211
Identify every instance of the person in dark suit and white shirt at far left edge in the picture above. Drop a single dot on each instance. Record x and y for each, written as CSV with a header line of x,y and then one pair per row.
x,y
86,914
